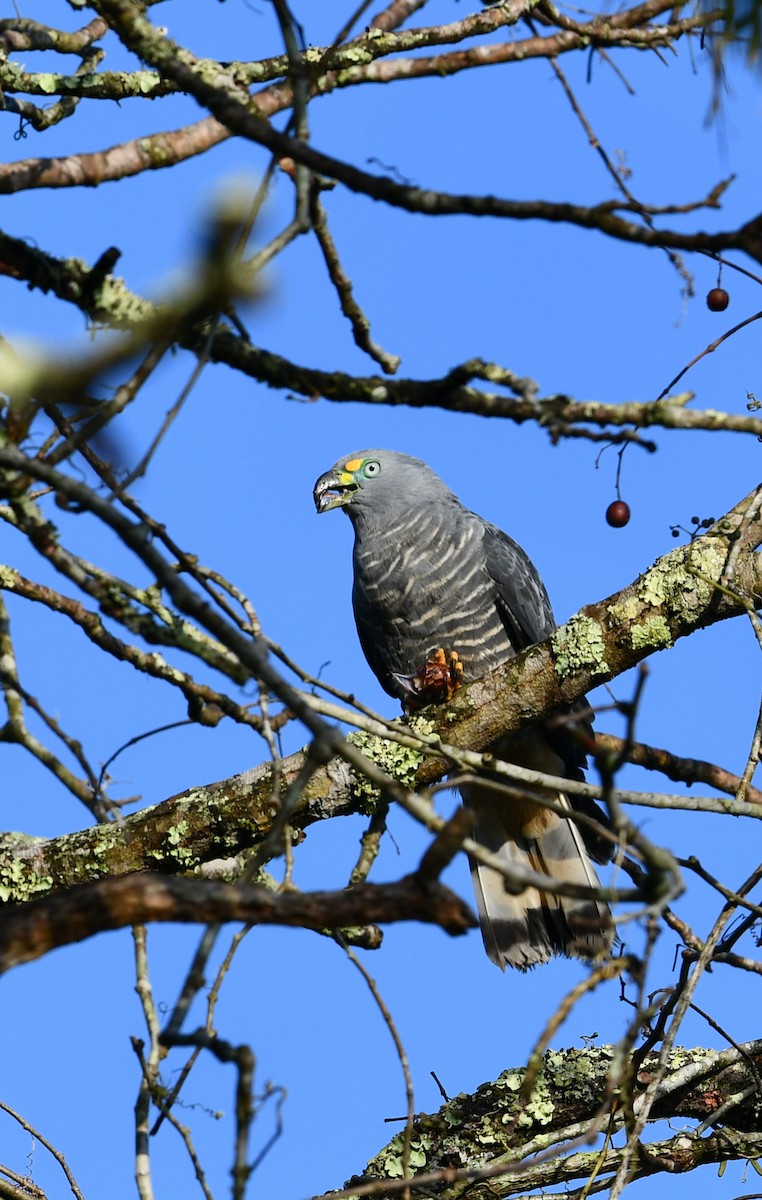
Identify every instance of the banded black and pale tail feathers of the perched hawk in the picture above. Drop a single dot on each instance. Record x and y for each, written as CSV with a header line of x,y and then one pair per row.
x,y
525,931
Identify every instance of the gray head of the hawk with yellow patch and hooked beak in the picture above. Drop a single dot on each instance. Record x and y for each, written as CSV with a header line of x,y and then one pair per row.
x,y
377,481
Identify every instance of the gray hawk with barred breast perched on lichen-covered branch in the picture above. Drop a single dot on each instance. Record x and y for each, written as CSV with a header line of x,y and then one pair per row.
x,y
430,577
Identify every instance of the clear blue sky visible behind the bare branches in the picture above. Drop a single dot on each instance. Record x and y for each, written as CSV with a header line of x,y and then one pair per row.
x,y
233,482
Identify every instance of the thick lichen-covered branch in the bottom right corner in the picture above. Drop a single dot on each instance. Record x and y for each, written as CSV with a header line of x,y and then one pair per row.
x,y
519,1144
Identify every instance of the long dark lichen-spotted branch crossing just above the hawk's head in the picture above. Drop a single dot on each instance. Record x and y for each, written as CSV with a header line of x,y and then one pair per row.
x,y
109,301
